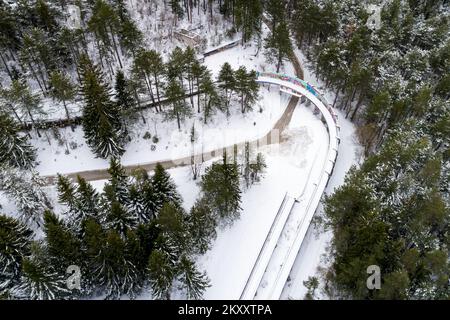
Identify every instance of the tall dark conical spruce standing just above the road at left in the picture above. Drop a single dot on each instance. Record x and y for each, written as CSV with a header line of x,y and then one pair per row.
x,y
102,123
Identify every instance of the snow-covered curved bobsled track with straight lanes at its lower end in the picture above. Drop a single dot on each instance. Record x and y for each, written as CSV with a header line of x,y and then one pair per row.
x,y
278,253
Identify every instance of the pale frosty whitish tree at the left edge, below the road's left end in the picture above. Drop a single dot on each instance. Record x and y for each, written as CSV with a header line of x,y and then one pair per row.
x,y
24,189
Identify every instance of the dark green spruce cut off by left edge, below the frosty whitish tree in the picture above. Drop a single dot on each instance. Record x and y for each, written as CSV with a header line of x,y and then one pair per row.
x,y
15,242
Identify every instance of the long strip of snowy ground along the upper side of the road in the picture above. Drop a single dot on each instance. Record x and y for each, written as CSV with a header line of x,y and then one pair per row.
x,y
172,144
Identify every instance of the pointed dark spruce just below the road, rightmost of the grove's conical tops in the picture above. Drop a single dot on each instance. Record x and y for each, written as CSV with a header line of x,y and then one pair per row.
x,y
164,189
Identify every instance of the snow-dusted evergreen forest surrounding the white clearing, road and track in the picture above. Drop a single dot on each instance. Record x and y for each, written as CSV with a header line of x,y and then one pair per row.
x,y
392,81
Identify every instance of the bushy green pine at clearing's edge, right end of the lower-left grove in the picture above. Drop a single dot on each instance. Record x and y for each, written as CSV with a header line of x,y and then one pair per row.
x,y
220,185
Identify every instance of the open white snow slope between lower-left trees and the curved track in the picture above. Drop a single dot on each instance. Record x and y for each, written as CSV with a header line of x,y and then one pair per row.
x,y
235,250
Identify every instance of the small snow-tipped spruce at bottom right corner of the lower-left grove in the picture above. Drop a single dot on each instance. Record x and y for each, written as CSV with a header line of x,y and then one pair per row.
x,y
194,282
